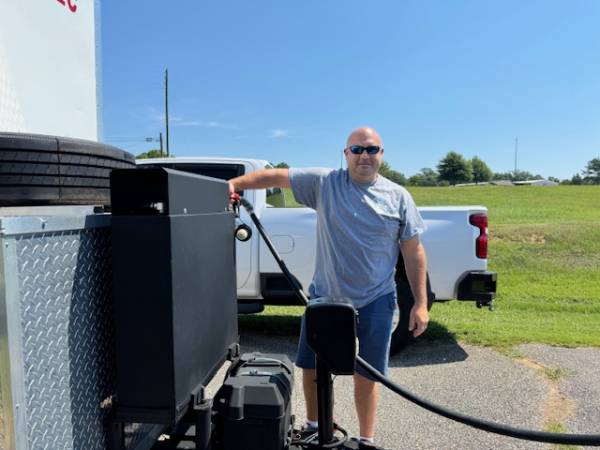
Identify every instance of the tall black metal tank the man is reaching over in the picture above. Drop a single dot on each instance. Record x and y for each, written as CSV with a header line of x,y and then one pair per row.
x,y
174,289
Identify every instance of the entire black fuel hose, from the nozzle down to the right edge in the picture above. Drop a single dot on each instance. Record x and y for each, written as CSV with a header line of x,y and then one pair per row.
x,y
485,425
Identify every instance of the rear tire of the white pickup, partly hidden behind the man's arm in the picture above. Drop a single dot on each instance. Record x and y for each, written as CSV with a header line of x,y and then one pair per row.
x,y
401,336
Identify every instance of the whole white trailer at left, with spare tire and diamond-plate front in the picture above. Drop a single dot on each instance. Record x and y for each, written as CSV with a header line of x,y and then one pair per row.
x,y
57,373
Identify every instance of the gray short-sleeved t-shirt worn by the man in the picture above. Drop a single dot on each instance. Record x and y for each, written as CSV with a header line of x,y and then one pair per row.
x,y
358,229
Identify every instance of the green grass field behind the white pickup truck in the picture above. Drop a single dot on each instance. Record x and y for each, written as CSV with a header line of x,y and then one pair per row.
x,y
545,247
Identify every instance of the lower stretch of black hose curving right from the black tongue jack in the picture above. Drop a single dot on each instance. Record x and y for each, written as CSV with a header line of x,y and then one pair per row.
x,y
505,430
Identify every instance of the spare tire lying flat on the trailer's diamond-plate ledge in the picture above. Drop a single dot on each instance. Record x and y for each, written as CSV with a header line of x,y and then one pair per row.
x,y
51,170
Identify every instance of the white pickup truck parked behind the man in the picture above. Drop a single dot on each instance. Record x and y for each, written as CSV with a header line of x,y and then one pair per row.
x,y
455,242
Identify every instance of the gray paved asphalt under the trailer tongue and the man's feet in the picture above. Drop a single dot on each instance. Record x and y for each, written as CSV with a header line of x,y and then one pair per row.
x,y
544,385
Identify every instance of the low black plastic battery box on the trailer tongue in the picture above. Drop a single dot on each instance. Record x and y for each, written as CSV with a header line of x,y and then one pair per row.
x,y
252,407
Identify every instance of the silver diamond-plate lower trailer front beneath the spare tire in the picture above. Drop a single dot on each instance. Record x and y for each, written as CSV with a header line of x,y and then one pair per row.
x,y
57,357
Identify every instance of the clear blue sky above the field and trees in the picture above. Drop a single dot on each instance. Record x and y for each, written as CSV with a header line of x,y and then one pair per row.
x,y
287,81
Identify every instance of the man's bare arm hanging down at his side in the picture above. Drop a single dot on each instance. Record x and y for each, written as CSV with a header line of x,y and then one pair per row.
x,y
415,264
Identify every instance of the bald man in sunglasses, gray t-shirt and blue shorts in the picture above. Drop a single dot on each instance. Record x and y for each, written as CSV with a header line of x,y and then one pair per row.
x,y
361,217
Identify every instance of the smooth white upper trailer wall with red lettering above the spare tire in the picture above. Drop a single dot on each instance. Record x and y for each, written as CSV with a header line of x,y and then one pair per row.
x,y
48,67
